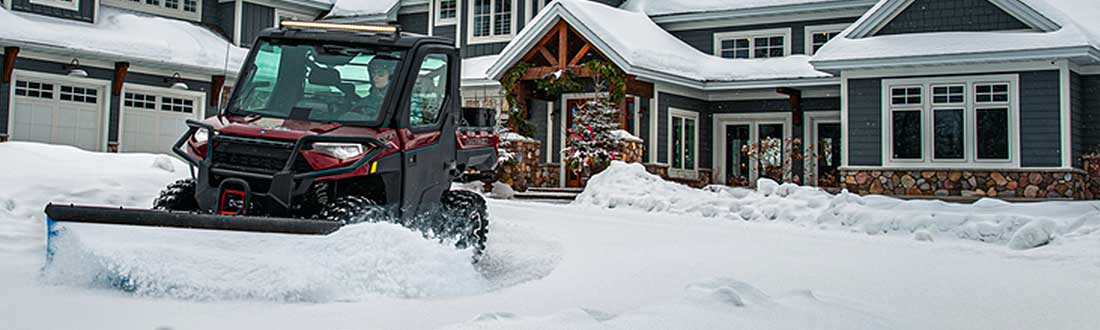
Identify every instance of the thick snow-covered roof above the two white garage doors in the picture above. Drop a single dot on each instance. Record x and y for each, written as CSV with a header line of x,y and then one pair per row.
x,y
139,39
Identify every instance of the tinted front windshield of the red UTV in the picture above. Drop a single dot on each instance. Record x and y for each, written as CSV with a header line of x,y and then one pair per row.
x,y
317,82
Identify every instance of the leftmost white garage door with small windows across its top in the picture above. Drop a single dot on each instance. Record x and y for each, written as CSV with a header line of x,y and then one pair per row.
x,y
58,113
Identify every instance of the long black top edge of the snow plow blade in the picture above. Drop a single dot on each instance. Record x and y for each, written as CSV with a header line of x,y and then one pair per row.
x,y
58,214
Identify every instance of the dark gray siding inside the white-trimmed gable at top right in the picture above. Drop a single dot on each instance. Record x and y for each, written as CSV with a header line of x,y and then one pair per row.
x,y
943,16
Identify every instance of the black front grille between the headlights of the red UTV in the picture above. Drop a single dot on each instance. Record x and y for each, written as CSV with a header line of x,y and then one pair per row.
x,y
255,156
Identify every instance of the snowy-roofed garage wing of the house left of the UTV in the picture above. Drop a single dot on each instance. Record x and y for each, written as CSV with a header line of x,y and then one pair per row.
x,y
123,75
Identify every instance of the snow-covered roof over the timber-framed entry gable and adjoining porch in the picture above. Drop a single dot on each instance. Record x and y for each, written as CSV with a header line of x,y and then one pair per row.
x,y
643,49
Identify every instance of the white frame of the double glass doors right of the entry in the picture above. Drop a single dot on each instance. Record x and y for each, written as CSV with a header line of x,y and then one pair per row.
x,y
753,120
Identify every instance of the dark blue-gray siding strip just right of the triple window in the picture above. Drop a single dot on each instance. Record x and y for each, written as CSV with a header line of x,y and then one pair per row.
x,y
1040,119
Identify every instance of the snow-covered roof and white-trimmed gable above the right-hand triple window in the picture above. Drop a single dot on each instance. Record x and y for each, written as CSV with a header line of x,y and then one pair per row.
x,y
1062,29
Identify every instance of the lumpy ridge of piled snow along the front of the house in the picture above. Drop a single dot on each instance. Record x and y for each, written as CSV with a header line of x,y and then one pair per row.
x,y
1020,226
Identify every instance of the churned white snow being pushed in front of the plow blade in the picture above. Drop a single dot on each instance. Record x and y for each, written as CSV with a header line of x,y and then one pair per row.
x,y
355,263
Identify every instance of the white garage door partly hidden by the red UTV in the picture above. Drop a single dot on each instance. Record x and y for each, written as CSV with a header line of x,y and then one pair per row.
x,y
153,122
